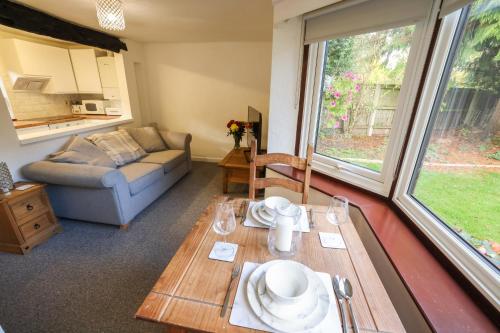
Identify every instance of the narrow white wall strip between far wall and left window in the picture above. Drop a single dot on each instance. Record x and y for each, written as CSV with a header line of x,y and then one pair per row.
x,y
285,83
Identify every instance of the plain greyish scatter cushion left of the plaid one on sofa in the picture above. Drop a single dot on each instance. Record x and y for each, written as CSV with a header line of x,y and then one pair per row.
x,y
80,151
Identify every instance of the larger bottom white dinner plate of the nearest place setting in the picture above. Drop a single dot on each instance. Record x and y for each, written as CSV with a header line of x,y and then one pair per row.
x,y
303,323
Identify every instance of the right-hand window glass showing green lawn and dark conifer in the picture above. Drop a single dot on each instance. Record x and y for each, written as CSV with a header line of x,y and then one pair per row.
x,y
458,178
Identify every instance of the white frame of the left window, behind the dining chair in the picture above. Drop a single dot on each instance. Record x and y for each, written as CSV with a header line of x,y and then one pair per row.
x,y
376,182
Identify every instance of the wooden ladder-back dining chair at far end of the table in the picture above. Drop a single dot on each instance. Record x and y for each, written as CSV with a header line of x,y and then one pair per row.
x,y
303,164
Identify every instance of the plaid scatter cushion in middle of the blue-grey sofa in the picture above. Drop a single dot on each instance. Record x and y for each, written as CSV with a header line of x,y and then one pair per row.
x,y
119,146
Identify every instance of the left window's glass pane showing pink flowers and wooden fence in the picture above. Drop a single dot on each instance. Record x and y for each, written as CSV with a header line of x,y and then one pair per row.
x,y
362,77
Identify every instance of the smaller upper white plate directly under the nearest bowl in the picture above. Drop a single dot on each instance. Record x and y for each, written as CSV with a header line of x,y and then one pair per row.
x,y
292,311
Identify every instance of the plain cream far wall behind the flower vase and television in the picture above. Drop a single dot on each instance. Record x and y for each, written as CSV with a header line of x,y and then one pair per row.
x,y
199,87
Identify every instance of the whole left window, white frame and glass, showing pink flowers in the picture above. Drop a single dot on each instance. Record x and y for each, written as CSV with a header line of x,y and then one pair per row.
x,y
359,92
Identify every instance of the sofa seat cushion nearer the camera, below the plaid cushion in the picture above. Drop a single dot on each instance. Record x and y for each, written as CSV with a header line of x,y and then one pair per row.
x,y
140,175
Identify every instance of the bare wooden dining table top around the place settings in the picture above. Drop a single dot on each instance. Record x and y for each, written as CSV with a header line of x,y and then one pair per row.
x,y
190,292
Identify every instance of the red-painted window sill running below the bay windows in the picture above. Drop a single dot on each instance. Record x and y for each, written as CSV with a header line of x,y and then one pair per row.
x,y
446,306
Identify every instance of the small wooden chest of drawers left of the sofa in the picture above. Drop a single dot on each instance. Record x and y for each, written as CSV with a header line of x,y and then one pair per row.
x,y
26,219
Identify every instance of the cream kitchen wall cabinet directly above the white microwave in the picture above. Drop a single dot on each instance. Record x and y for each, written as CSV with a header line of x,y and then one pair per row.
x,y
86,72
